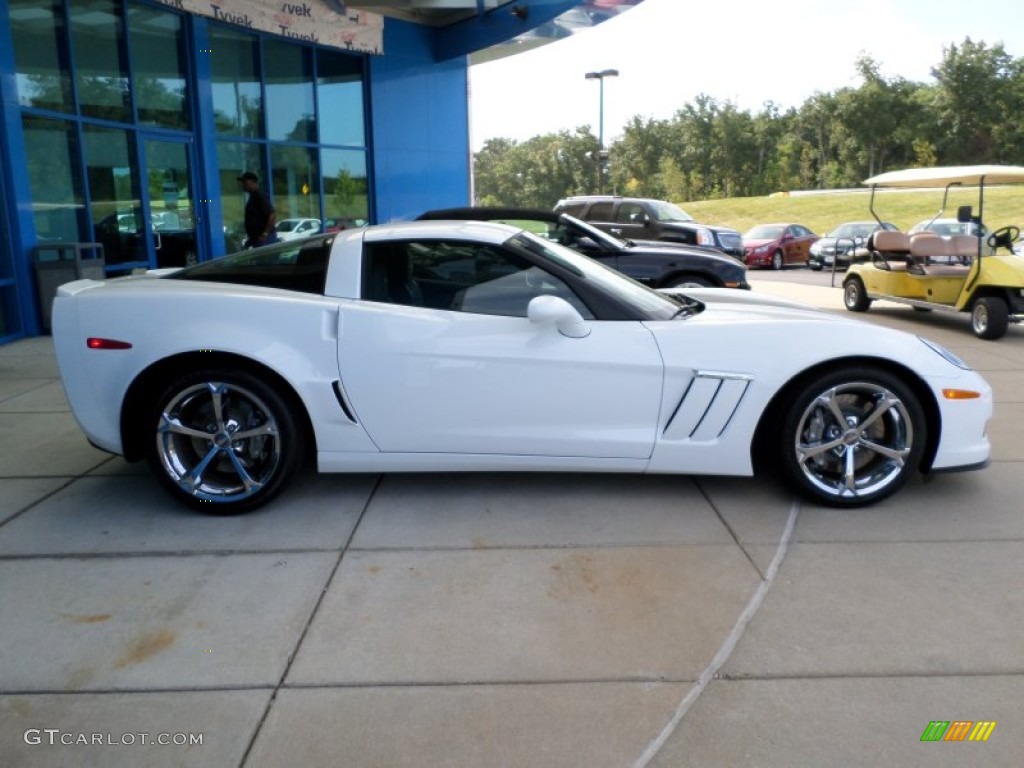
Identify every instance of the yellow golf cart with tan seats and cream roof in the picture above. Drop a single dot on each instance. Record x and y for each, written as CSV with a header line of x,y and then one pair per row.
x,y
952,273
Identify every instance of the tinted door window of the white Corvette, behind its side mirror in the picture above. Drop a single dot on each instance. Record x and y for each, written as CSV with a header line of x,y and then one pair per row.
x,y
458,276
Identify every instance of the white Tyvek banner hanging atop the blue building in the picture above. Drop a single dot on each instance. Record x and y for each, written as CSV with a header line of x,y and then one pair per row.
x,y
312,21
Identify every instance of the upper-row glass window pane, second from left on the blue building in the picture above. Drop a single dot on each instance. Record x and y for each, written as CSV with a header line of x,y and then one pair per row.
x,y
98,33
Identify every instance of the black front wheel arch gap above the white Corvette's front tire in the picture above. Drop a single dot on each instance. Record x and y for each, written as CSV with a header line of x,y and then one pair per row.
x,y
762,447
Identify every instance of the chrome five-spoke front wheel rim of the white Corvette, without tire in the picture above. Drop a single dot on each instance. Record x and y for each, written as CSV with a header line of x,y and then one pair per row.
x,y
855,441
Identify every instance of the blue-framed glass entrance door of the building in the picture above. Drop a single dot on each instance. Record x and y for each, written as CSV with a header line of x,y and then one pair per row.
x,y
169,175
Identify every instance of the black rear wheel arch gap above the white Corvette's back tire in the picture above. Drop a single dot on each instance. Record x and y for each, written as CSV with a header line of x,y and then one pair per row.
x,y
149,382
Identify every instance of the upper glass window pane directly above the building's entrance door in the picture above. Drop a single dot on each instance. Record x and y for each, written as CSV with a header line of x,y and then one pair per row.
x,y
159,68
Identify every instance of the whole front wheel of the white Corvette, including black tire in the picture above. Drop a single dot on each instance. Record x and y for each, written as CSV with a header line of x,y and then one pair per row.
x,y
867,456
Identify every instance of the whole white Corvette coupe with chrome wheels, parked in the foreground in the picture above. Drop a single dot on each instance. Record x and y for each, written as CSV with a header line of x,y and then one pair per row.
x,y
454,347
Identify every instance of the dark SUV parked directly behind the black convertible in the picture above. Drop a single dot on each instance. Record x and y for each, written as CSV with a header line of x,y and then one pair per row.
x,y
642,219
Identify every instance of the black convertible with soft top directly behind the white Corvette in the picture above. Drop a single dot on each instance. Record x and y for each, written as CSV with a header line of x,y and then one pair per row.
x,y
656,265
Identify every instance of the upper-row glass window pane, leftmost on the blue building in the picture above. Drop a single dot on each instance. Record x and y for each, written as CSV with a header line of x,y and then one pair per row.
x,y
38,32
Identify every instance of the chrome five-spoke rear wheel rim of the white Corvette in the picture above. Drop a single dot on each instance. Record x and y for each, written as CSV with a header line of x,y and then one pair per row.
x,y
219,442
